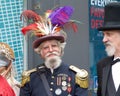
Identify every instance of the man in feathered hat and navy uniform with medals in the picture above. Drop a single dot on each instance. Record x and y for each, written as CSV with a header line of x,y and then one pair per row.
x,y
53,77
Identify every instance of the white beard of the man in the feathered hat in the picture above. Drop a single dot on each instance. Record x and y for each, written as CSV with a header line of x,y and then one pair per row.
x,y
53,62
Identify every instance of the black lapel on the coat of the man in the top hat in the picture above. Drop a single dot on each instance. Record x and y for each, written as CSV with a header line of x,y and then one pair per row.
x,y
106,70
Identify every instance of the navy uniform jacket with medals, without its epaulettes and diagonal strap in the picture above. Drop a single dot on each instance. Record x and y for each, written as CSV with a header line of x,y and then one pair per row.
x,y
61,82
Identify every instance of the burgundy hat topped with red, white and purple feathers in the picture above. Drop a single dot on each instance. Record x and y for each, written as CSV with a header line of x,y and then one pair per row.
x,y
50,26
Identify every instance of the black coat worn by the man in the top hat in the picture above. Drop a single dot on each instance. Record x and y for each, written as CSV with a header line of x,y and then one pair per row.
x,y
103,69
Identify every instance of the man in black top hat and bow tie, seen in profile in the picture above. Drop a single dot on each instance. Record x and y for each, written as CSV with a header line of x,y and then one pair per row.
x,y
108,69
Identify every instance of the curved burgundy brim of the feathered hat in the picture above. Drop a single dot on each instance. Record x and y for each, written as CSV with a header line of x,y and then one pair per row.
x,y
38,41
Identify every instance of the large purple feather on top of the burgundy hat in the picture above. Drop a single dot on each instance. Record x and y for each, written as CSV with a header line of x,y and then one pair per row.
x,y
61,15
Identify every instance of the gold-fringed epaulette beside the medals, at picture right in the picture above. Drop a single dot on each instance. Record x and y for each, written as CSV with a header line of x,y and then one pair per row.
x,y
81,77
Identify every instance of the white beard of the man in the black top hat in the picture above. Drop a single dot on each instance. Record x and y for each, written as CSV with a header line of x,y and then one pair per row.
x,y
110,49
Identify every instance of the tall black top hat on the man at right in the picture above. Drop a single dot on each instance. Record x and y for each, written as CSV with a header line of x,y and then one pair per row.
x,y
111,17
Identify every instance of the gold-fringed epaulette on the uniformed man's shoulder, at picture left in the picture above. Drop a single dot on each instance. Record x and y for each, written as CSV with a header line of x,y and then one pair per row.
x,y
26,76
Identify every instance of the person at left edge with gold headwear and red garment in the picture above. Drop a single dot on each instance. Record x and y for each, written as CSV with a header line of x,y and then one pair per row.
x,y
8,84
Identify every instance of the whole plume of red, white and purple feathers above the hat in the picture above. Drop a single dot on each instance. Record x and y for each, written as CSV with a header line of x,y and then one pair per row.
x,y
53,21
